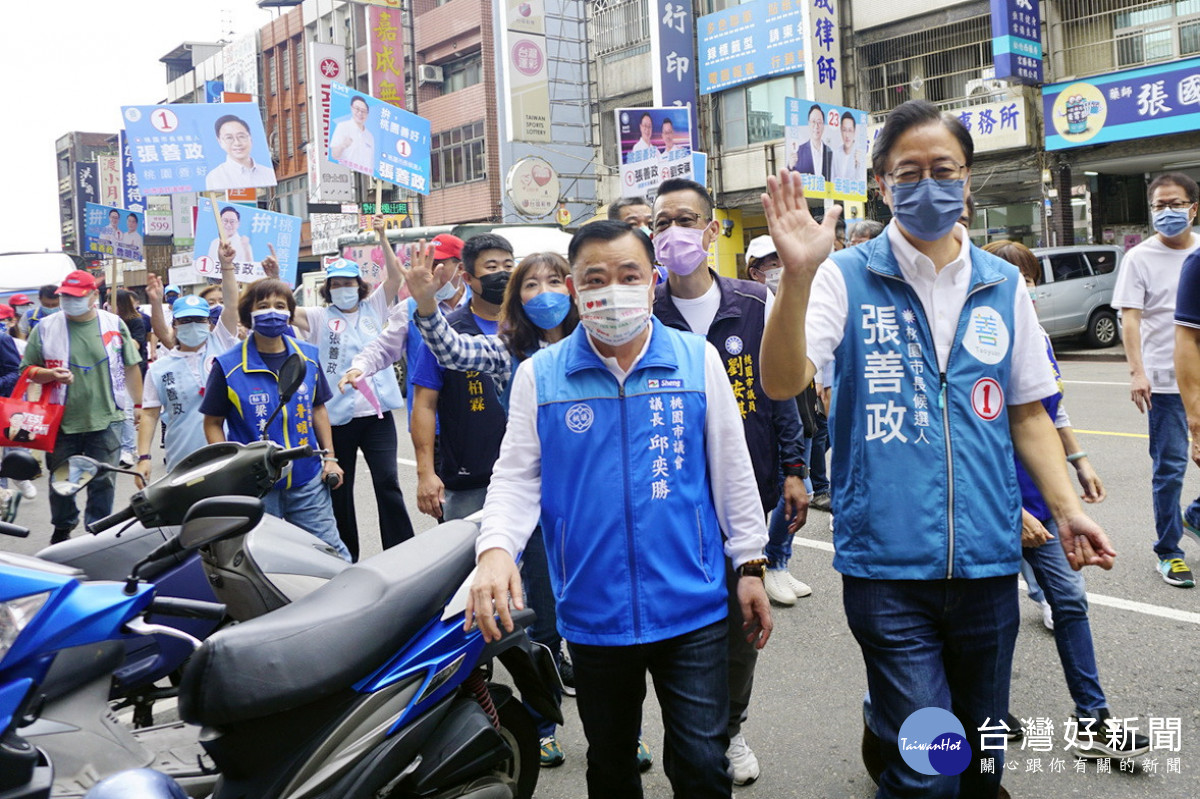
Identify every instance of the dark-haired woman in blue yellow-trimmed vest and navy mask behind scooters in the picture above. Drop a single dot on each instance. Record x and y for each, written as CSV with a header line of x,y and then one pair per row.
x,y
250,373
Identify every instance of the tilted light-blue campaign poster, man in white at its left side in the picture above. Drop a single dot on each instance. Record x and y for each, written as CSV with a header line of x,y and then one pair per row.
x,y
376,139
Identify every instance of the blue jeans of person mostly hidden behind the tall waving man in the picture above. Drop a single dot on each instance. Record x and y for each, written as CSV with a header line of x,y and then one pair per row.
x,y
1065,591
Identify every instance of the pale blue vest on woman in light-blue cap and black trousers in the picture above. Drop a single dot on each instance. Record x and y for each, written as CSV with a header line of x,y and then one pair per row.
x,y
345,337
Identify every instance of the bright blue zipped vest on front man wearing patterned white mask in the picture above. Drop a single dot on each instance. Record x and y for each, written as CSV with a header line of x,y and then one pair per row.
x,y
632,534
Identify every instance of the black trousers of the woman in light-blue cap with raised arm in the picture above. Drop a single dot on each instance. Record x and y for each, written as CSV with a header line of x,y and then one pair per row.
x,y
377,440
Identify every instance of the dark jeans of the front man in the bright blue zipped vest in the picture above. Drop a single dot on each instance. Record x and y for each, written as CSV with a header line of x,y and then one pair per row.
x,y
692,683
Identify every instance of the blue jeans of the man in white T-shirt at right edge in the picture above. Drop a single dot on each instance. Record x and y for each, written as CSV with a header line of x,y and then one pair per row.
x,y
1169,455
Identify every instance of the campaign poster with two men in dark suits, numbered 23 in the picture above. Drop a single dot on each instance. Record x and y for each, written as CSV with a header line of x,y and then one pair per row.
x,y
827,146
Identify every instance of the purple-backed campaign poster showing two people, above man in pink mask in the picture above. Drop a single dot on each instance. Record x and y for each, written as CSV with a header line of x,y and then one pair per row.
x,y
656,146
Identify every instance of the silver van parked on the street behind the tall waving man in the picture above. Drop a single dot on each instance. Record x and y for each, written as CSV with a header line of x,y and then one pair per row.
x,y
1076,291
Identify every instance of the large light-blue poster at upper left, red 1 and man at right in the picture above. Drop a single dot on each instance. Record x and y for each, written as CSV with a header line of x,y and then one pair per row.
x,y
199,148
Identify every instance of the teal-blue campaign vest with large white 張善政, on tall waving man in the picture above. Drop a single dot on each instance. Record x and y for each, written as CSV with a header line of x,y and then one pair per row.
x,y
923,465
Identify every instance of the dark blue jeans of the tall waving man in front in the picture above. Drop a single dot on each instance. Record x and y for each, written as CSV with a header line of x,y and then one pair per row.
x,y
945,644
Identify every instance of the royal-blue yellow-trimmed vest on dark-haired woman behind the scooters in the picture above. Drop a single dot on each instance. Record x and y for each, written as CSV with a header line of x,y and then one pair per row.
x,y
255,393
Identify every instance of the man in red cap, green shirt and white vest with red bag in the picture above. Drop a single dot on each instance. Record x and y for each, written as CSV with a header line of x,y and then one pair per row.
x,y
89,359
